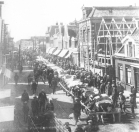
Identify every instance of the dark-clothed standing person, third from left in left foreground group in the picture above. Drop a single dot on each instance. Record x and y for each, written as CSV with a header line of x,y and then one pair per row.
x,y
42,98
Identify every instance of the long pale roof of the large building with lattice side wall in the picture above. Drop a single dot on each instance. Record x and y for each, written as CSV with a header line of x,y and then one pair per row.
x,y
114,11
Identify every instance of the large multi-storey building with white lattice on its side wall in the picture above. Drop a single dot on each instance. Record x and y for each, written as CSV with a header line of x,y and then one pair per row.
x,y
101,31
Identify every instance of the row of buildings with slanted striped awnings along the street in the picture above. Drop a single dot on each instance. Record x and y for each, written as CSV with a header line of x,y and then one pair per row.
x,y
62,41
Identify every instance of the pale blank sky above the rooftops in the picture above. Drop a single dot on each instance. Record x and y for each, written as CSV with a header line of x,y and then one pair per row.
x,y
28,18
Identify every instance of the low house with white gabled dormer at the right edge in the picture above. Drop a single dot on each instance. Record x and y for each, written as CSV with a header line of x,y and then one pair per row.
x,y
127,61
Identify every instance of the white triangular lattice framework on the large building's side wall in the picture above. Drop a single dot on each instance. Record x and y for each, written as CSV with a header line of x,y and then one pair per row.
x,y
110,34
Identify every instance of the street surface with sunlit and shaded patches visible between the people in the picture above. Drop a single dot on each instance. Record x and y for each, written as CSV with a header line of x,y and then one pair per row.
x,y
63,105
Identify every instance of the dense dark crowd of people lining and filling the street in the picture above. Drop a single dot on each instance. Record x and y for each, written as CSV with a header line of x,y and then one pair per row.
x,y
104,84
